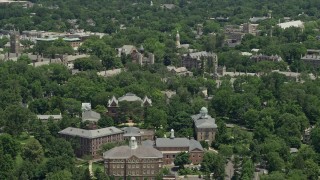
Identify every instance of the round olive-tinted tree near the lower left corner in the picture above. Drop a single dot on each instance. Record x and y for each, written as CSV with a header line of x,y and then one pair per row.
x,y
32,151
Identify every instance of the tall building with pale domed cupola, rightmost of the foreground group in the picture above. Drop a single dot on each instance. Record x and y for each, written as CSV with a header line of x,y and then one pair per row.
x,y
205,126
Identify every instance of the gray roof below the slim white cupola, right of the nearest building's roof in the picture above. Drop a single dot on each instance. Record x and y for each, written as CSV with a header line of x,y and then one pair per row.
x,y
178,142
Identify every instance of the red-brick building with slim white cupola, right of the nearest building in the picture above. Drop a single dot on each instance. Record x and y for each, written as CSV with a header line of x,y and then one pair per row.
x,y
171,147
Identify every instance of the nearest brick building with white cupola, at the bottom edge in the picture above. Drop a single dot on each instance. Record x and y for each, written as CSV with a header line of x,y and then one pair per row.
x,y
138,162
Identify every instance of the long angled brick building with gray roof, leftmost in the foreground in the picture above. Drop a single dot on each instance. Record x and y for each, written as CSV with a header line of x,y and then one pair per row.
x,y
90,141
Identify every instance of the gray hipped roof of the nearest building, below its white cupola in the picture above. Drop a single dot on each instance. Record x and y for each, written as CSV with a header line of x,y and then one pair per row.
x,y
125,152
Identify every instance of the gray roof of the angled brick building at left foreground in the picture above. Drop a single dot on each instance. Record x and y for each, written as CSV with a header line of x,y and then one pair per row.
x,y
90,134
